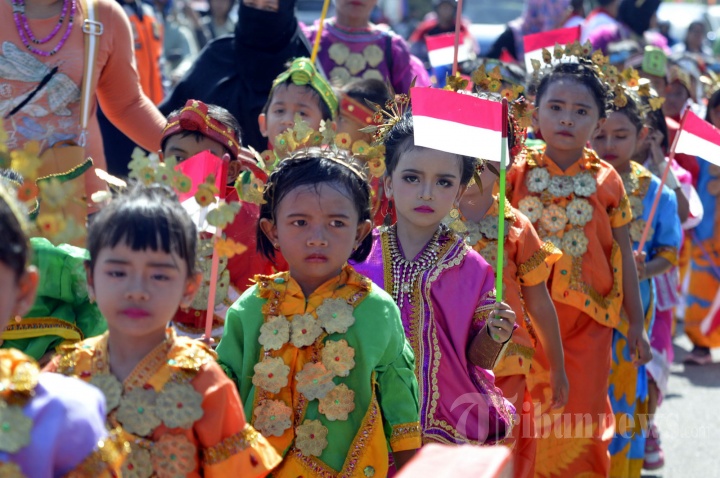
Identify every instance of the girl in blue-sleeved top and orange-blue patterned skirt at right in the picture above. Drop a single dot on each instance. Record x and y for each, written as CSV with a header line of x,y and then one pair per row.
x,y
617,142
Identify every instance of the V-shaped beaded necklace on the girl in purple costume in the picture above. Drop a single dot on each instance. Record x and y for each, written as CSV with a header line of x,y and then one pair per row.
x,y
405,272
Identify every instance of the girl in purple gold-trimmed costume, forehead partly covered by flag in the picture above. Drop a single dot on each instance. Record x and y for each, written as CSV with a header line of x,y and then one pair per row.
x,y
424,266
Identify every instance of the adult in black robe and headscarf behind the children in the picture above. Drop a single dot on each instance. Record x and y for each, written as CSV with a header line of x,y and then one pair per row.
x,y
237,71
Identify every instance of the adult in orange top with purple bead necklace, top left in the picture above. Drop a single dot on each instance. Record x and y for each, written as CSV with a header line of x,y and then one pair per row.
x,y
42,56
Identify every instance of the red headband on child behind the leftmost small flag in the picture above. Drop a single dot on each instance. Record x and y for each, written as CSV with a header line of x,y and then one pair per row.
x,y
194,117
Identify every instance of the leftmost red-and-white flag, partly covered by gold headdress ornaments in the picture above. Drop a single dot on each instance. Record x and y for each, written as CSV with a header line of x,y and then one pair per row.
x,y
198,168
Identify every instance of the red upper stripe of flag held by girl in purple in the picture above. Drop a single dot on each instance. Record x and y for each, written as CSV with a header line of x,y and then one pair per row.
x,y
457,108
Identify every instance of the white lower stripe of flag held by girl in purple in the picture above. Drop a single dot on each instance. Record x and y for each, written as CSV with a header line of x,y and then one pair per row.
x,y
458,138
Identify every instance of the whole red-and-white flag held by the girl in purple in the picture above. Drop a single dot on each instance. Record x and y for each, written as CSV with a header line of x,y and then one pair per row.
x,y
457,123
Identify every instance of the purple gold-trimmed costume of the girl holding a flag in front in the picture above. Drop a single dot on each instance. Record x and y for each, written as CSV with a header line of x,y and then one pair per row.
x,y
442,311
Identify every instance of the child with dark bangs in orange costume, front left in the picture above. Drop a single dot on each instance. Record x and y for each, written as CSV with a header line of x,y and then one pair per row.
x,y
180,412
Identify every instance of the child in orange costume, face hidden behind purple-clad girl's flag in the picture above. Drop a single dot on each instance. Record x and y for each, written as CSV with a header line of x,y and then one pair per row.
x,y
528,263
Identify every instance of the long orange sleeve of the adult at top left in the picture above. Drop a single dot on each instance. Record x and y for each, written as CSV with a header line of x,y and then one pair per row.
x,y
118,88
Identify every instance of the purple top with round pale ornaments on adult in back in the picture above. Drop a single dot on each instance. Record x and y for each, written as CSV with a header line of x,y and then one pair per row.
x,y
373,52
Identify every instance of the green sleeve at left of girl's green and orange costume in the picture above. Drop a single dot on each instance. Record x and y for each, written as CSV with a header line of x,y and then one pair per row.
x,y
238,349
